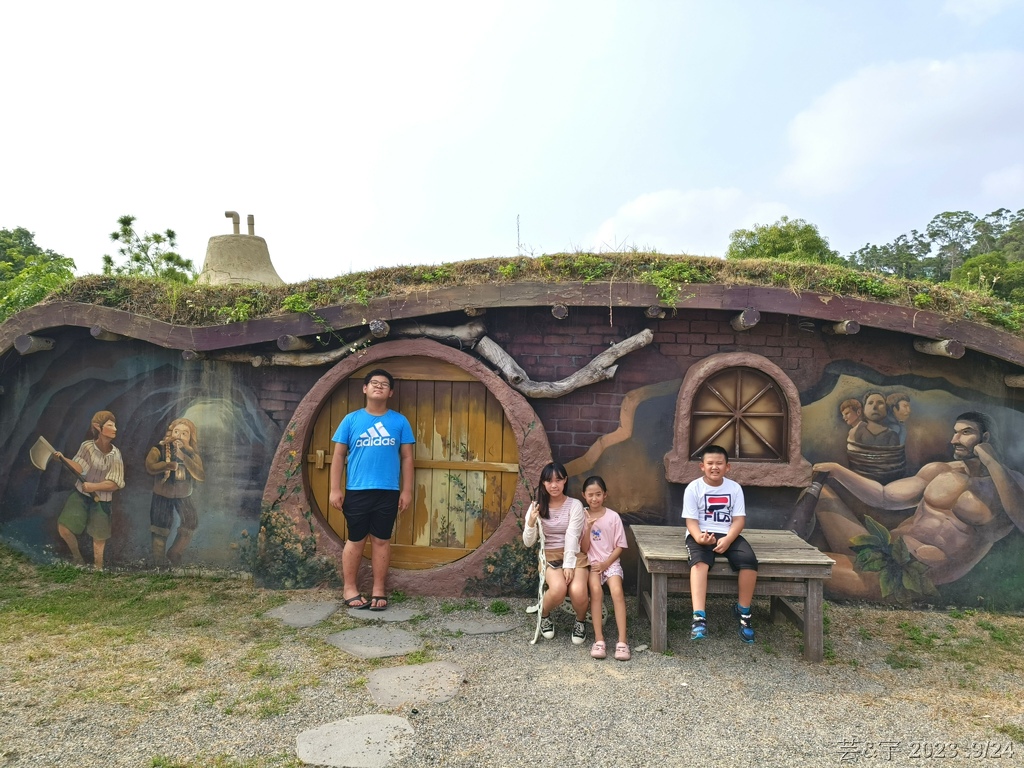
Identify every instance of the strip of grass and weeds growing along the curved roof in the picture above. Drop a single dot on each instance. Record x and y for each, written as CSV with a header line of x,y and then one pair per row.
x,y
200,305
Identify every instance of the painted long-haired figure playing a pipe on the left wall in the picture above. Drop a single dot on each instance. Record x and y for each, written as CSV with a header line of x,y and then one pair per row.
x,y
177,467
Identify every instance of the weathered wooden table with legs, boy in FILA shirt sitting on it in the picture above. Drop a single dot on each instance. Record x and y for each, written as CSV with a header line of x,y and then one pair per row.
x,y
788,568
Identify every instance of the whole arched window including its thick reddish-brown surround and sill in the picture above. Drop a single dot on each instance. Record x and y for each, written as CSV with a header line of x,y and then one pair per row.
x,y
747,405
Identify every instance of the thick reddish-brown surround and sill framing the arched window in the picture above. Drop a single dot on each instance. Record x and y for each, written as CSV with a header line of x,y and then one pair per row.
x,y
794,473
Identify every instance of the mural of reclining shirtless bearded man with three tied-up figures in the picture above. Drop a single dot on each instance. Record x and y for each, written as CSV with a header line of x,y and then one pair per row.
x,y
910,505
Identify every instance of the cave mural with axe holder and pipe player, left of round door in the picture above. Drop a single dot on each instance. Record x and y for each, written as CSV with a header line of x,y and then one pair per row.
x,y
148,461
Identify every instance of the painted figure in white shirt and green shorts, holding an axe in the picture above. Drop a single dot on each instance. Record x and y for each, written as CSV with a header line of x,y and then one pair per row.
x,y
88,510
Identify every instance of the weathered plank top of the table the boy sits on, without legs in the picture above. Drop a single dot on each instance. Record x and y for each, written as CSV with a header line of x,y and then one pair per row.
x,y
772,547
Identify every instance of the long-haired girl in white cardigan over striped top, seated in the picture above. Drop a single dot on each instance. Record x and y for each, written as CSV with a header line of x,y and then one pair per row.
x,y
563,520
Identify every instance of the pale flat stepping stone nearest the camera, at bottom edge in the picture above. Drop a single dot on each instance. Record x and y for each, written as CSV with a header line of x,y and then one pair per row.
x,y
365,742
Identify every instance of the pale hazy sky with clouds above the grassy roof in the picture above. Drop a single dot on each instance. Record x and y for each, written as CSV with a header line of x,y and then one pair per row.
x,y
373,135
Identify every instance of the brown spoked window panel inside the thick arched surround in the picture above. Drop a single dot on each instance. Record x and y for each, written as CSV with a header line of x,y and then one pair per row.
x,y
744,411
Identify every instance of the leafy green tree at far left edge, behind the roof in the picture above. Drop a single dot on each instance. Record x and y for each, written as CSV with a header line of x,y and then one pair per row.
x,y
28,273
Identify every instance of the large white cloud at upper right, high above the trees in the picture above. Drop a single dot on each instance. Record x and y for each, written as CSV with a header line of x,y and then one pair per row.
x,y
963,116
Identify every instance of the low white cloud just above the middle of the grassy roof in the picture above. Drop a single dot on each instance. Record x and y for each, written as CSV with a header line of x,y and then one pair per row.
x,y
694,222
